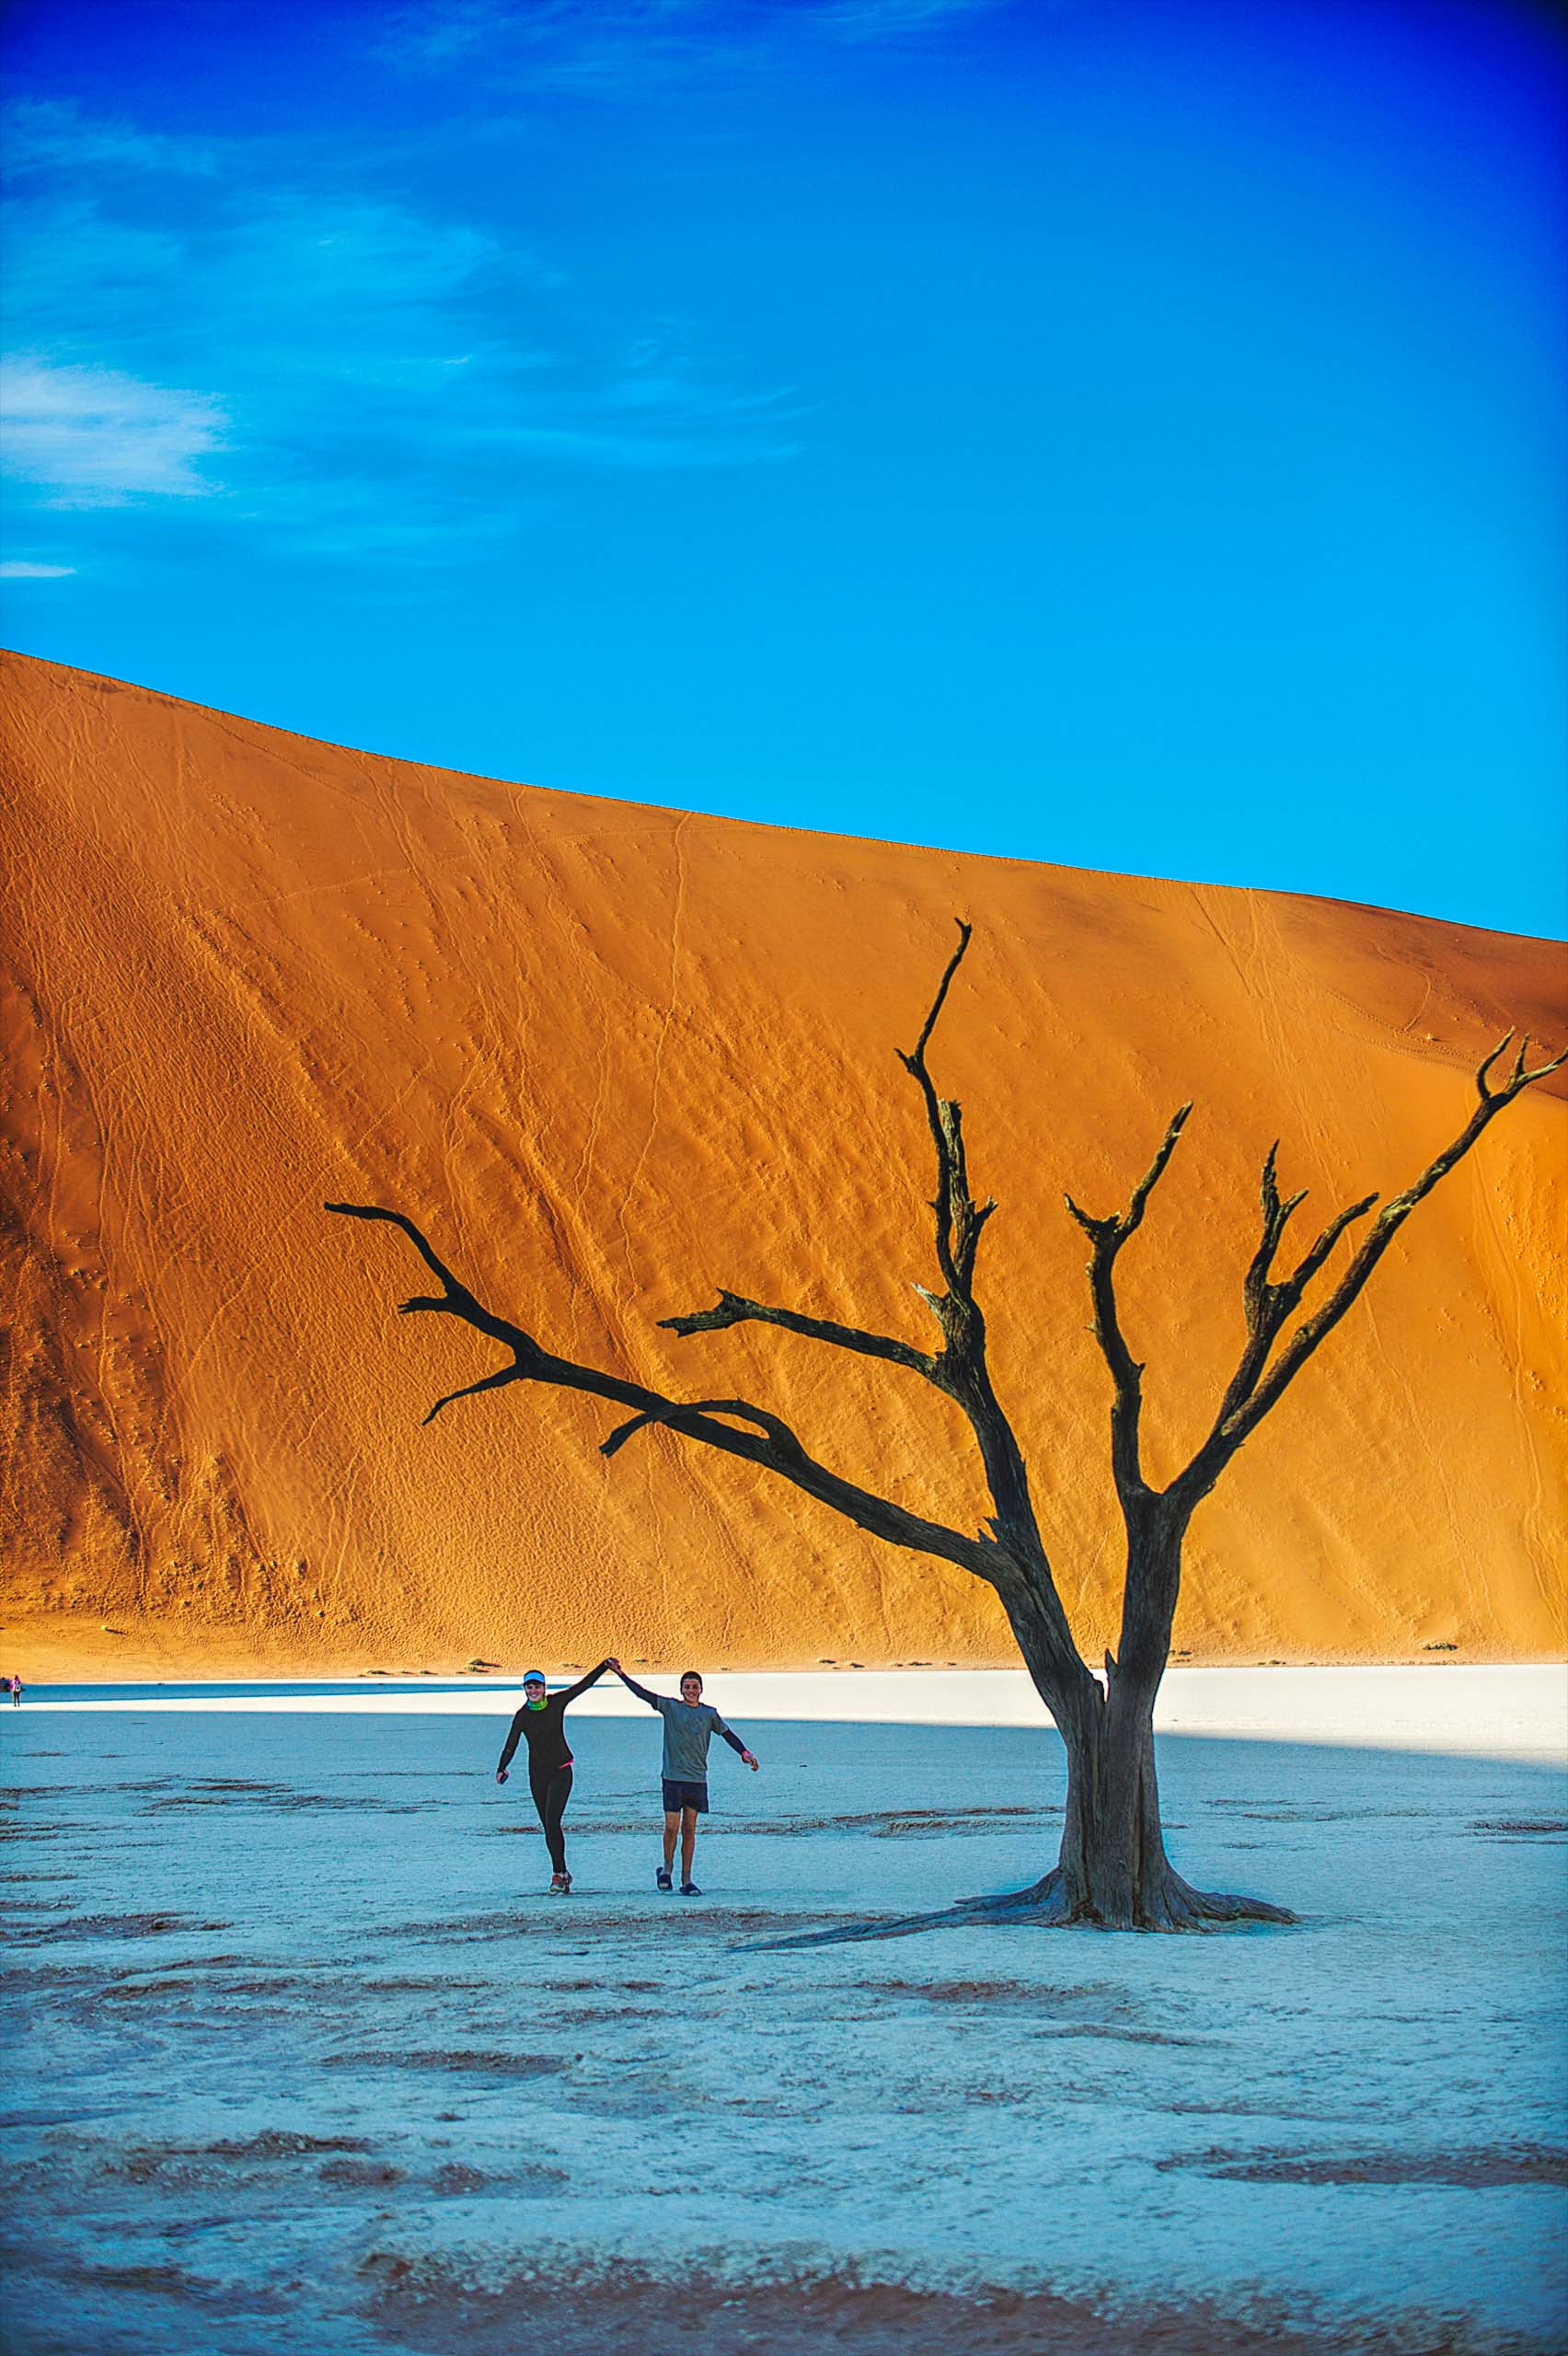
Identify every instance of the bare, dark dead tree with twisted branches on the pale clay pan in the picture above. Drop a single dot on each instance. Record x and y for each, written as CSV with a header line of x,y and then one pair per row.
x,y
1112,1867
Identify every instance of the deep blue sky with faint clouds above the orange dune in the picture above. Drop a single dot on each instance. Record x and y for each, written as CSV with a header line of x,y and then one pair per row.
x,y
1119,432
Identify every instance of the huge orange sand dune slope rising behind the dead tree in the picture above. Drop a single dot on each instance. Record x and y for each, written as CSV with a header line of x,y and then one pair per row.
x,y
613,1059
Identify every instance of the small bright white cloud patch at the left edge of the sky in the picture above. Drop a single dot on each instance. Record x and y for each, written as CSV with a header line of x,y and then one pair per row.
x,y
95,437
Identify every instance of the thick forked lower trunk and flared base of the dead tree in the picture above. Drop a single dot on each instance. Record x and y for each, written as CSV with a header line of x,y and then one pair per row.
x,y
1112,1867
